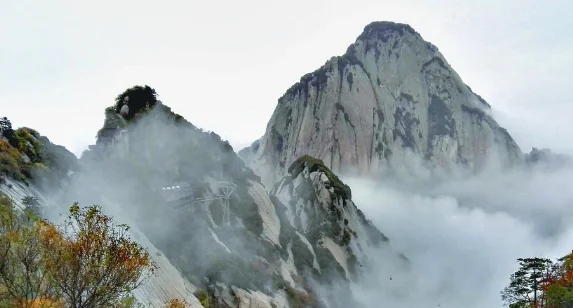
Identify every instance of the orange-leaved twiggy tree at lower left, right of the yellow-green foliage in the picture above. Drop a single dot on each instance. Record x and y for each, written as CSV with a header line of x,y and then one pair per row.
x,y
92,261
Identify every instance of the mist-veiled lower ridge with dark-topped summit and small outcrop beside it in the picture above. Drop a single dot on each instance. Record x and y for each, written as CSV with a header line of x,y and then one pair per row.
x,y
219,238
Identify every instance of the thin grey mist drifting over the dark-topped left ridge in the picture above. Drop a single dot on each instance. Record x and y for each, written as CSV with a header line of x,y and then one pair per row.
x,y
126,180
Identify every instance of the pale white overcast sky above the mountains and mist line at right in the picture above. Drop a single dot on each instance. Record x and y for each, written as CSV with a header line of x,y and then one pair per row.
x,y
62,62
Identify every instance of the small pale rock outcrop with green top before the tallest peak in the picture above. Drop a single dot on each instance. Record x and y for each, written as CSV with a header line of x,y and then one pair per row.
x,y
321,224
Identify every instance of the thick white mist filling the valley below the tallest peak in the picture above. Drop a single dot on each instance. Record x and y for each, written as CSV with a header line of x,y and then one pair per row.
x,y
463,235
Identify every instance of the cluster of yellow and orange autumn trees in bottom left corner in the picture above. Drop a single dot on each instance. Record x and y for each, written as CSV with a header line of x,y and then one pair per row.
x,y
88,261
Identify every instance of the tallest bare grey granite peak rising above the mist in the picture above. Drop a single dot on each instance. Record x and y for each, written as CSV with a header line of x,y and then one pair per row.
x,y
390,94
